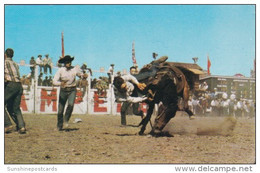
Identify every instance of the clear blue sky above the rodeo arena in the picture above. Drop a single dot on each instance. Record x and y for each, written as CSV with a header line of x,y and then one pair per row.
x,y
100,35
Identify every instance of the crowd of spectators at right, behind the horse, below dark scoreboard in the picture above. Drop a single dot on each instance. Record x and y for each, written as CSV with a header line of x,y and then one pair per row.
x,y
217,103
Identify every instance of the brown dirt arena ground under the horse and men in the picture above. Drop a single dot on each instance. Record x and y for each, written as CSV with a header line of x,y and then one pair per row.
x,y
101,139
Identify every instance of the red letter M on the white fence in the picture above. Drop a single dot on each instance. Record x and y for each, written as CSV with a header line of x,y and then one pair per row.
x,y
47,97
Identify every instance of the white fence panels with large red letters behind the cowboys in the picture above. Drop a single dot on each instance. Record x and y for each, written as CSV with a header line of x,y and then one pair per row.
x,y
46,100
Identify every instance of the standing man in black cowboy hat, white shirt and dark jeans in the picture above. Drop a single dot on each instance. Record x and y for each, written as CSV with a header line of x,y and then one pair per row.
x,y
66,79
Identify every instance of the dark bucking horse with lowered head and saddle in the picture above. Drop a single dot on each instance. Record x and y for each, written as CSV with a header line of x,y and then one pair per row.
x,y
166,83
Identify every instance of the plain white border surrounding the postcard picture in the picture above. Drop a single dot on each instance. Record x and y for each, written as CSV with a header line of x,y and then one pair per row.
x,y
117,168
